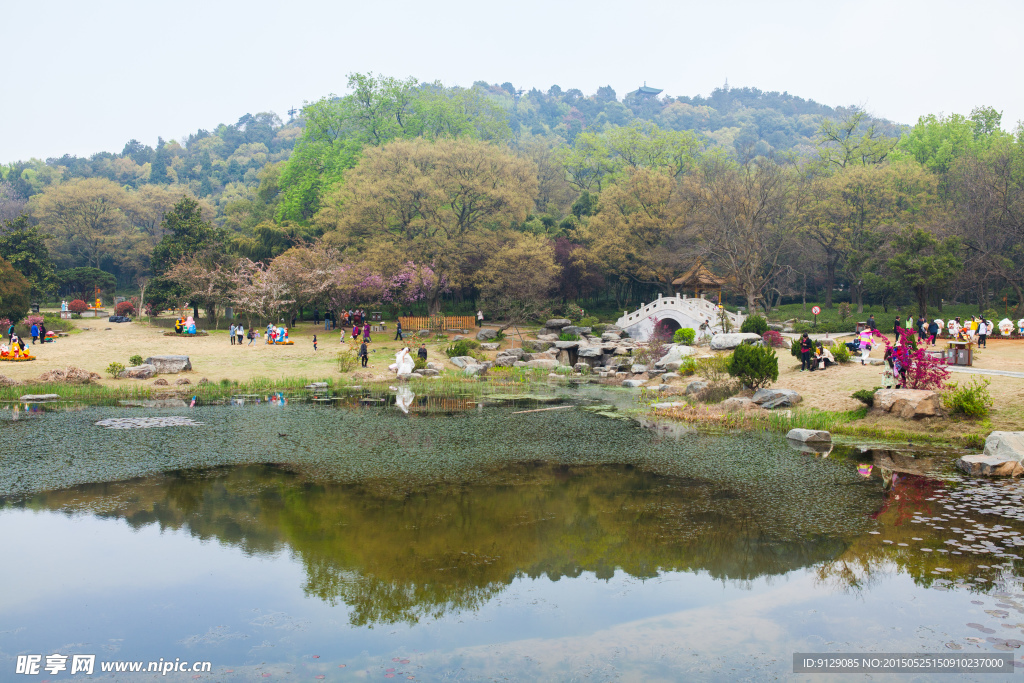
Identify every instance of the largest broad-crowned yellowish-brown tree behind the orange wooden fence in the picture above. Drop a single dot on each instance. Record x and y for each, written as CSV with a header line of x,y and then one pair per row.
x,y
435,203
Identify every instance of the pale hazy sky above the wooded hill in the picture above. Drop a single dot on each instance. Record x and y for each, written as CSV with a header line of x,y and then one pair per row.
x,y
83,78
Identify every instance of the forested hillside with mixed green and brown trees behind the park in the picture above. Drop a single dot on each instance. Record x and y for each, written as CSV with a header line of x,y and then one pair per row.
x,y
419,195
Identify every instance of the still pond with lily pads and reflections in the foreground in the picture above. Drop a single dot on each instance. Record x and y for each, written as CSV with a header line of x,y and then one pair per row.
x,y
352,540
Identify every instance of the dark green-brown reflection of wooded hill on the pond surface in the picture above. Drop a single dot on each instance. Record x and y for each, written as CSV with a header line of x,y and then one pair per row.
x,y
396,554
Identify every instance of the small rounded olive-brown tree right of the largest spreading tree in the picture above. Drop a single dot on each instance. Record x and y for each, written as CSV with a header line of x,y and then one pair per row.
x,y
517,281
